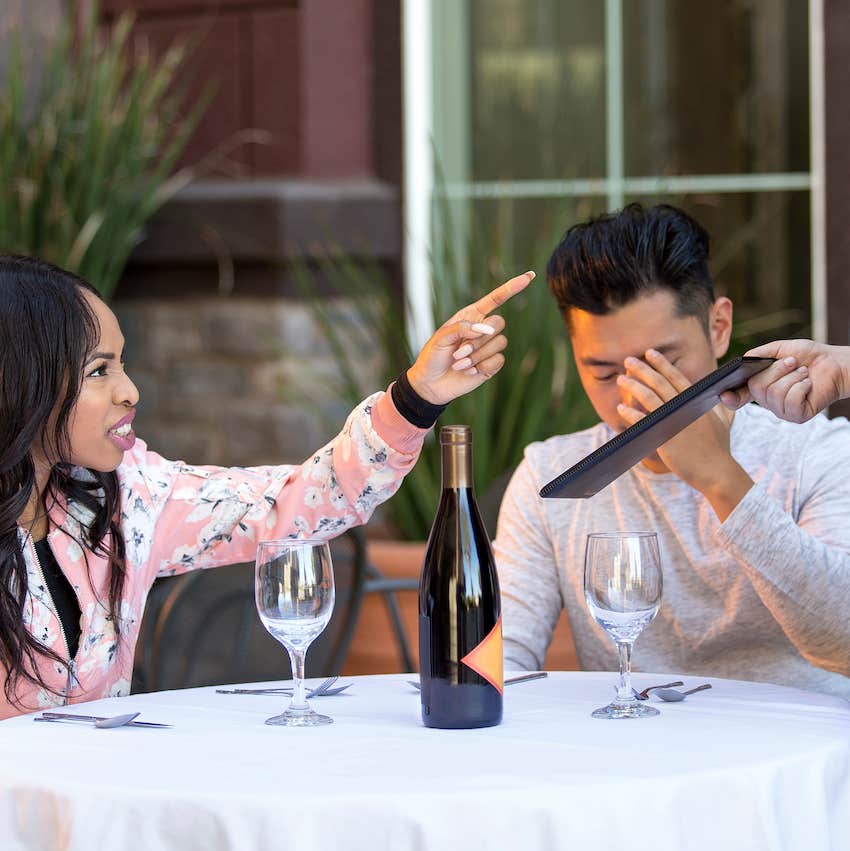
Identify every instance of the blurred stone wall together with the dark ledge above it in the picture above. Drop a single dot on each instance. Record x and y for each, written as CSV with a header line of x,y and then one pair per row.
x,y
222,342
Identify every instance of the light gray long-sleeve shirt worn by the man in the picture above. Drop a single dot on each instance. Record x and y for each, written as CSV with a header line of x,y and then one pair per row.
x,y
765,595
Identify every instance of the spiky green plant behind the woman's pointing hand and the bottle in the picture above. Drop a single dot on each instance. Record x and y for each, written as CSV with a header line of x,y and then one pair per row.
x,y
535,395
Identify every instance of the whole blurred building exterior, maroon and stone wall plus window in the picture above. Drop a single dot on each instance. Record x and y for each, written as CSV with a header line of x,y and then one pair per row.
x,y
542,113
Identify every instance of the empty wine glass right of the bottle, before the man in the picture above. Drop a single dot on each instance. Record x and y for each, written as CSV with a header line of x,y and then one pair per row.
x,y
622,588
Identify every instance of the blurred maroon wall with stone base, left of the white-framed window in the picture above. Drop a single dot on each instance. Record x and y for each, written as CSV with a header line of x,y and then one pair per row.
x,y
298,153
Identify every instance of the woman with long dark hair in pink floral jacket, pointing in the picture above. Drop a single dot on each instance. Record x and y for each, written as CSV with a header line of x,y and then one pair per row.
x,y
89,517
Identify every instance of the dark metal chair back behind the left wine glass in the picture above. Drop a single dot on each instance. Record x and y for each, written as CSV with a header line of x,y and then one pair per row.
x,y
202,628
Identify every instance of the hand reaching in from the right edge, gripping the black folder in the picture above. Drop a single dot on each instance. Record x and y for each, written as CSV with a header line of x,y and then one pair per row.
x,y
806,378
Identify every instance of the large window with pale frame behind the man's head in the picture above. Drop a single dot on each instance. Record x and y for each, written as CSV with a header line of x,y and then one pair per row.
x,y
546,112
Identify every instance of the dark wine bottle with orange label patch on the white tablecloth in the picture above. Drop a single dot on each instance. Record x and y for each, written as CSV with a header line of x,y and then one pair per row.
x,y
460,624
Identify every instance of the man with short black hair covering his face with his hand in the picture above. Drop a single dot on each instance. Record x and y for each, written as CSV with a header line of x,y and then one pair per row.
x,y
752,512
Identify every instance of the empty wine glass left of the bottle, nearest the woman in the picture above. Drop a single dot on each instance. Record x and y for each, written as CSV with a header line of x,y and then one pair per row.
x,y
294,590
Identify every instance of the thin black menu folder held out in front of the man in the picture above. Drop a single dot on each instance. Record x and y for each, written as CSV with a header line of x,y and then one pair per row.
x,y
626,449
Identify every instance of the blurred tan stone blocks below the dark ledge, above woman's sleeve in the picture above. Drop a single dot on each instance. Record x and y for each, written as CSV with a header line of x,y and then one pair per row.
x,y
221,378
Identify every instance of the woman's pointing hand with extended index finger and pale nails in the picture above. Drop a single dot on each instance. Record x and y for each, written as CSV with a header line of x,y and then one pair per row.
x,y
467,350
